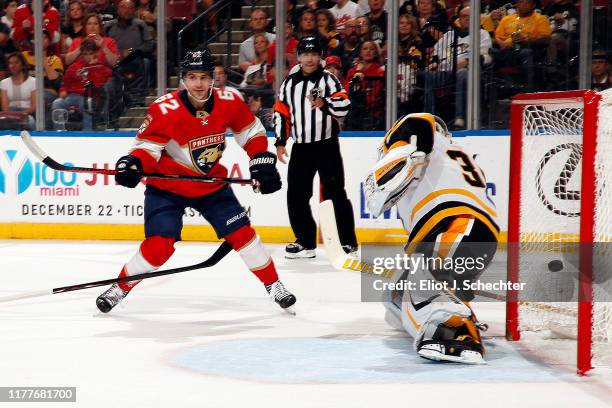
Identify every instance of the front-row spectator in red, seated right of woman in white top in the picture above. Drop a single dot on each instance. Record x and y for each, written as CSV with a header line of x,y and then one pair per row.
x,y
83,89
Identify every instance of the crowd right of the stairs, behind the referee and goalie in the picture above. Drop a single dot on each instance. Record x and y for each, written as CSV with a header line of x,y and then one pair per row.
x,y
525,46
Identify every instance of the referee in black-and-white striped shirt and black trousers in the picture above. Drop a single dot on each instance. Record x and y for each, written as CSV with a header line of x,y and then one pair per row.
x,y
310,101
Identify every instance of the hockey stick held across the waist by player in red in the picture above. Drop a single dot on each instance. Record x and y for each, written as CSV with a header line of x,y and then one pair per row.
x,y
46,159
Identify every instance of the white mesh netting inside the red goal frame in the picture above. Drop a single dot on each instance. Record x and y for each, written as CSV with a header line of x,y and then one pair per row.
x,y
550,220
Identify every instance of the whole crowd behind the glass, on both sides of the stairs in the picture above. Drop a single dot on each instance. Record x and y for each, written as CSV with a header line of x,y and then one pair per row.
x,y
100,55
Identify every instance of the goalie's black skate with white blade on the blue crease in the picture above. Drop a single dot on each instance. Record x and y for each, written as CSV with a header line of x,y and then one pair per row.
x,y
462,350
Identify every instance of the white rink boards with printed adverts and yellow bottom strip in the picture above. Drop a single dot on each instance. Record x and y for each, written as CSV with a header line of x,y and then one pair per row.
x,y
41,203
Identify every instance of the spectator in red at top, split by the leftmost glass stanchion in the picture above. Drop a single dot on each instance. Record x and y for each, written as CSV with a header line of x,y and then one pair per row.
x,y
23,24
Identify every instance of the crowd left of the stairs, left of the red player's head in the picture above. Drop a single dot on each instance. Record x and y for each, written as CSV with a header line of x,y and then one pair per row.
x,y
98,61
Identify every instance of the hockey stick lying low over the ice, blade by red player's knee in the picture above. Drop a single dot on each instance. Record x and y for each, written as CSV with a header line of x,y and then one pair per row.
x,y
219,254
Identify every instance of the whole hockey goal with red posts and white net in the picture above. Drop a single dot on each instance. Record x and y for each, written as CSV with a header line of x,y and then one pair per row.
x,y
560,221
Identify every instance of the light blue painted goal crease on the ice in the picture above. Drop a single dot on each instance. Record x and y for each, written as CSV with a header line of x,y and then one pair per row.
x,y
354,360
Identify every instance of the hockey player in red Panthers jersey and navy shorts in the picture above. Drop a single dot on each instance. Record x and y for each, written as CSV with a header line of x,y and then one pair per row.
x,y
183,133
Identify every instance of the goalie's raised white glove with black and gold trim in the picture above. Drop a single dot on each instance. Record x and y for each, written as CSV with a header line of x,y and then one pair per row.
x,y
392,176
